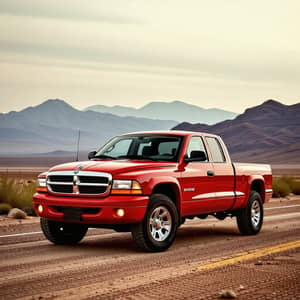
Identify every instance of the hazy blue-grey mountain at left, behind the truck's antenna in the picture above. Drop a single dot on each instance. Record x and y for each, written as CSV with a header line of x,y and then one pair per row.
x,y
54,125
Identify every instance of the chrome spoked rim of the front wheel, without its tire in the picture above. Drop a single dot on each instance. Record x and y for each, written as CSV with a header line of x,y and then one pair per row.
x,y
160,223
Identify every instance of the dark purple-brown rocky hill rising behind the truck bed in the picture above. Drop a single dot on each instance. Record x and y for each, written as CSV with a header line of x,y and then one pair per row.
x,y
269,132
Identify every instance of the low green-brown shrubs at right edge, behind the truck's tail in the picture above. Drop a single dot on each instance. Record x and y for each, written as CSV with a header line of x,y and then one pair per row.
x,y
285,185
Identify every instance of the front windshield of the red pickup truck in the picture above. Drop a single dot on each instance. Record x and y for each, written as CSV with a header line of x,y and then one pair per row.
x,y
150,147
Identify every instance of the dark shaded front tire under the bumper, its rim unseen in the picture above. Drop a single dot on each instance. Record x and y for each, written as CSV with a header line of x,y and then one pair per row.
x,y
62,233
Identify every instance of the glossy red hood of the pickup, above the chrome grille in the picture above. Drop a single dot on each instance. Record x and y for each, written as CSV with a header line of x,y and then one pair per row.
x,y
112,166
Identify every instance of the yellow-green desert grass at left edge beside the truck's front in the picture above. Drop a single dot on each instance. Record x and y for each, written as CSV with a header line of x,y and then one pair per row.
x,y
17,193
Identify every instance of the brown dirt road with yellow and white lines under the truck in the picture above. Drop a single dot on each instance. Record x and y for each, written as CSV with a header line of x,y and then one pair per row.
x,y
207,257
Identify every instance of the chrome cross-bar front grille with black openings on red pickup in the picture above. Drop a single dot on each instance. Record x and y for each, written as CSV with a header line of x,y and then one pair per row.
x,y
81,183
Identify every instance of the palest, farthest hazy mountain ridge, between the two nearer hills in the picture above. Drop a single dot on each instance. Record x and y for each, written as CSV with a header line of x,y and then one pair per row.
x,y
176,110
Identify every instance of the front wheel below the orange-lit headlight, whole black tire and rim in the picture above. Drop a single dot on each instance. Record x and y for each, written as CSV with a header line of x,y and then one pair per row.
x,y
158,229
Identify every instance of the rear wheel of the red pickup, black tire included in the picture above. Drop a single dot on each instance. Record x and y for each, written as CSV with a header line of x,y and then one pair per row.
x,y
250,219
